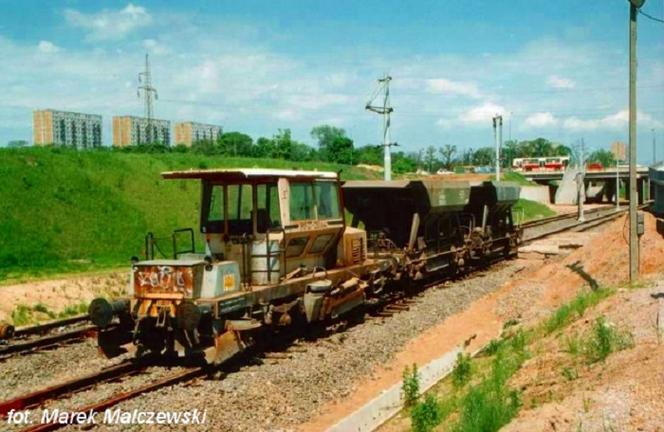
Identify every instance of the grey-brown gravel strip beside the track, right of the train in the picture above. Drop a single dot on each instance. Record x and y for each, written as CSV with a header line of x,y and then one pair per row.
x,y
280,394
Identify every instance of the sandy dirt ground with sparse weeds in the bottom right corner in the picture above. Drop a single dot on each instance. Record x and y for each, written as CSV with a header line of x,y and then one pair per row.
x,y
562,392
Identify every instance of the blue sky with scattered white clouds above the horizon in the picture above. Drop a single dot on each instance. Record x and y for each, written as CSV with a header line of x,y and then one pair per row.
x,y
557,70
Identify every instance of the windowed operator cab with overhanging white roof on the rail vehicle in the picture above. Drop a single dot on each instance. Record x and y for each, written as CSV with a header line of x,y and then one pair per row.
x,y
273,223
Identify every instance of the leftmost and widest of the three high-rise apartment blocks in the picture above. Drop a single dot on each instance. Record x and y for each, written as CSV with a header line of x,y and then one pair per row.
x,y
66,128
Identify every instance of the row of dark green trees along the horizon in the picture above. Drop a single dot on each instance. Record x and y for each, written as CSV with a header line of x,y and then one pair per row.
x,y
334,145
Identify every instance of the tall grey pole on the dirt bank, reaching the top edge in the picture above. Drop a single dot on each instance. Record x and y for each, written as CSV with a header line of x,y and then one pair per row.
x,y
634,6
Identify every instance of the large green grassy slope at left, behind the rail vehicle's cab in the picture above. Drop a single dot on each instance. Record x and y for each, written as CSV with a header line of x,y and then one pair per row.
x,y
62,210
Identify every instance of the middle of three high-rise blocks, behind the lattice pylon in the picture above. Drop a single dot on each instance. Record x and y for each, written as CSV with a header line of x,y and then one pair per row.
x,y
131,130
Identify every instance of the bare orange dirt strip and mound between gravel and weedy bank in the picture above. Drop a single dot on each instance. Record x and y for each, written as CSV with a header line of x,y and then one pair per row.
x,y
530,295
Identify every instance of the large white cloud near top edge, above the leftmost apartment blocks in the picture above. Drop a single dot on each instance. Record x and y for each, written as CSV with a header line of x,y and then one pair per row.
x,y
110,24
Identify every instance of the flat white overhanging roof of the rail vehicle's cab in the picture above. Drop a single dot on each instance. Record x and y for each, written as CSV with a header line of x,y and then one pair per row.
x,y
239,174
